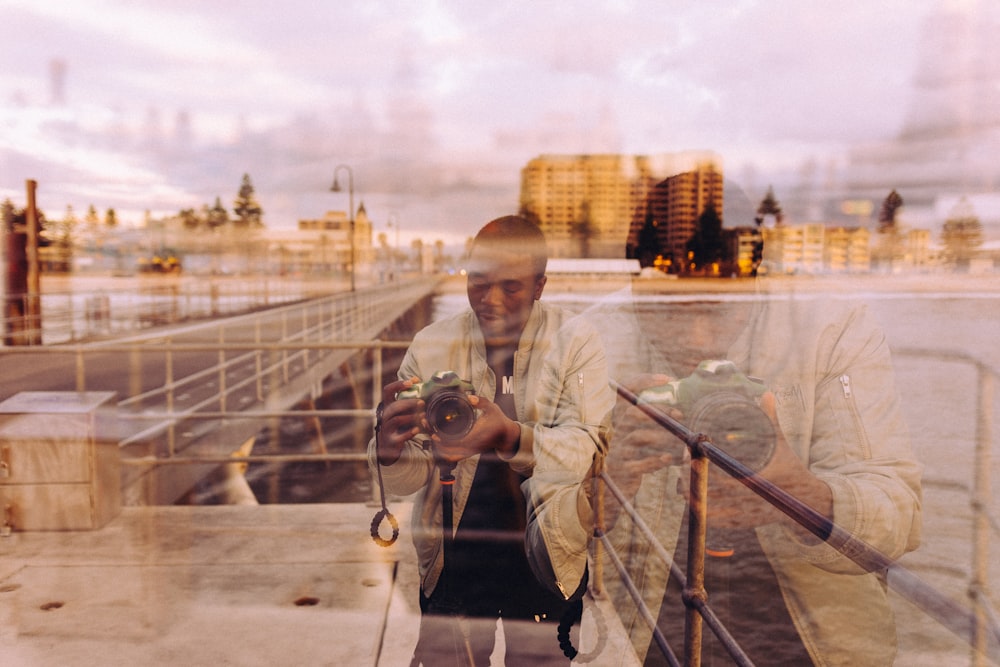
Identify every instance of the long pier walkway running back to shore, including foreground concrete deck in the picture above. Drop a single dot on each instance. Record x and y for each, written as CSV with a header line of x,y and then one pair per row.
x,y
165,584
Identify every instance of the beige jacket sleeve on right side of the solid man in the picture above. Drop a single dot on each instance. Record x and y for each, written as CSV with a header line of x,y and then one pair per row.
x,y
574,407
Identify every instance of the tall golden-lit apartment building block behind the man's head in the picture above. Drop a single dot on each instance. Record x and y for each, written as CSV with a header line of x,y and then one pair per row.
x,y
595,205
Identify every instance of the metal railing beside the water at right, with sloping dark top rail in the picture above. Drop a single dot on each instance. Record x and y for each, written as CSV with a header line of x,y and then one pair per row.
x,y
977,625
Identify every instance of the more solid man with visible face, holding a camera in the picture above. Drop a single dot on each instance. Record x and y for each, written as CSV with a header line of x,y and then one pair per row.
x,y
543,403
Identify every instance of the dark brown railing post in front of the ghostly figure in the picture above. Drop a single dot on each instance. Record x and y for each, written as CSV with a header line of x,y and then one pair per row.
x,y
694,589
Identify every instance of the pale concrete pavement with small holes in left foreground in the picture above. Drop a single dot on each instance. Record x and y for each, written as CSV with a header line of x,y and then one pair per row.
x,y
211,585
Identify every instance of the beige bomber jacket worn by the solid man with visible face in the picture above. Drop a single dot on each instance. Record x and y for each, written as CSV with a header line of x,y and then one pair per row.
x,y
563,403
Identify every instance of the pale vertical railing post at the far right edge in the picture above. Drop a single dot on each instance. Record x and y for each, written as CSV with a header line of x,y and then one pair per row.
x,y
981,496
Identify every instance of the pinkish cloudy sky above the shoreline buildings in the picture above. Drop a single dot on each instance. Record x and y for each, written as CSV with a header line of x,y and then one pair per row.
x,y
164,104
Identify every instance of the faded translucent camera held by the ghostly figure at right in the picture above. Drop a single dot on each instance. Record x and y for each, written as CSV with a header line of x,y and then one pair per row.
x,y
723,403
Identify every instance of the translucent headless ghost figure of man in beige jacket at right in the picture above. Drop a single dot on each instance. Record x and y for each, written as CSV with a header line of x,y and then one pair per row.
x,y
840,446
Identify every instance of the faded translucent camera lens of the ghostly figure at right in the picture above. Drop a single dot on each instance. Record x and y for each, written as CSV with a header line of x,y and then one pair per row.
x,y
736,426
